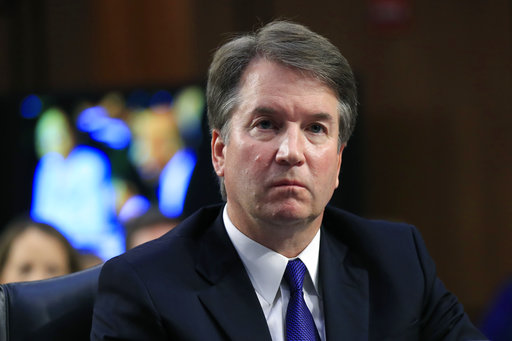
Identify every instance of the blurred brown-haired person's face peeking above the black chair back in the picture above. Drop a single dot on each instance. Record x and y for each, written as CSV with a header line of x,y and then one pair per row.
x,y
31,250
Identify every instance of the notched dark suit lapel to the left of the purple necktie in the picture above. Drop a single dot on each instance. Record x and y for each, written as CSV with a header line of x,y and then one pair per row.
x,y
230,299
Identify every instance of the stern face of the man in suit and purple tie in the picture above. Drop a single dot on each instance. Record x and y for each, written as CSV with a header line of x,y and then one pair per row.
x,y
281,162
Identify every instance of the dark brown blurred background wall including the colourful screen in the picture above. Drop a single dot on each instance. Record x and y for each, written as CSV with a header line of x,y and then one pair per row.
x,y
116,88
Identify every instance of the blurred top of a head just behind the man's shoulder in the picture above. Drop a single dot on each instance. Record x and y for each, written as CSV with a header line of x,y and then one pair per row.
x,y
148,226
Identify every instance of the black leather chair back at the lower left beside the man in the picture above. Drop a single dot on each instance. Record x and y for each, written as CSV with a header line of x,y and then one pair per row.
x,y
53,309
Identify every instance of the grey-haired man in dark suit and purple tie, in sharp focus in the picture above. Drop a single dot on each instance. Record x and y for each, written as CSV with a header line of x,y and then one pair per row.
x,y
274,263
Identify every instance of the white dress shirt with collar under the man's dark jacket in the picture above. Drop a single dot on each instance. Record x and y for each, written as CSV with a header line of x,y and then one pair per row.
x,y
266,268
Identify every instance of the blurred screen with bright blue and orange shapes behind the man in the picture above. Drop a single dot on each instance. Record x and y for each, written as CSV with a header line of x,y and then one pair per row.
x,y
100,160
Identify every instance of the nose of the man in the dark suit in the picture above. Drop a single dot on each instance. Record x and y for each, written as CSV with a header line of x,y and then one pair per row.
x,y
291,147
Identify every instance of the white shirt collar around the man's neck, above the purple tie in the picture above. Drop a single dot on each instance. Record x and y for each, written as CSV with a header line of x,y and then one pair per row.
x,y
266,267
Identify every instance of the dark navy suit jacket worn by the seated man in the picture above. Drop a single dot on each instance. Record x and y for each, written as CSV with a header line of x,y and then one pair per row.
x,y
378,283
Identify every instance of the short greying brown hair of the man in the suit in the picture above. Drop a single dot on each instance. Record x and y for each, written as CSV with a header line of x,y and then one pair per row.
x,y
289,44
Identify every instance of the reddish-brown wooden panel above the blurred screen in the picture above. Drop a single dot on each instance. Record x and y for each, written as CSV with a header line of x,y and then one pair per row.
x,y
142,43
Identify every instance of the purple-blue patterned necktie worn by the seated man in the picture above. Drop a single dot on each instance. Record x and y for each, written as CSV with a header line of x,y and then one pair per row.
x,y
300,325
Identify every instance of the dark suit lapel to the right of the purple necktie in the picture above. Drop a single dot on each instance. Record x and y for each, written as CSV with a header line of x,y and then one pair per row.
x,y
344,291
